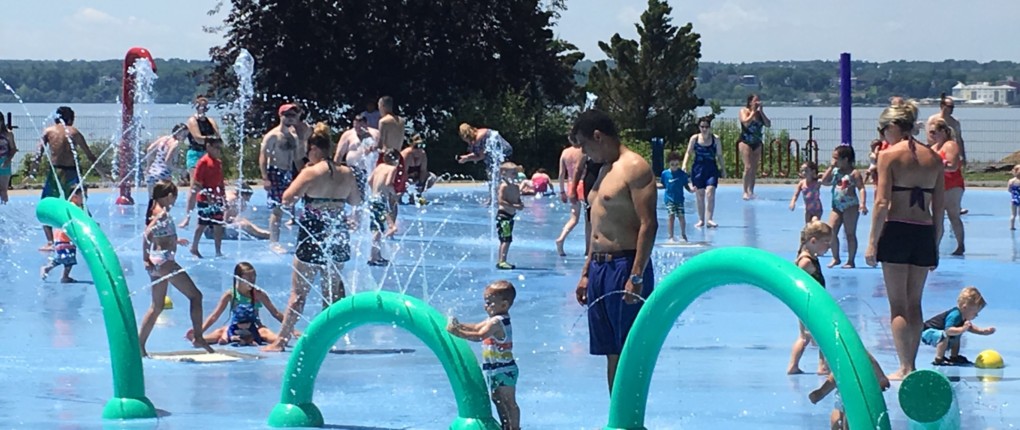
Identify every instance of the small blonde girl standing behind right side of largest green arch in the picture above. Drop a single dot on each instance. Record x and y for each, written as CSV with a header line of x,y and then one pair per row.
x,y
814,241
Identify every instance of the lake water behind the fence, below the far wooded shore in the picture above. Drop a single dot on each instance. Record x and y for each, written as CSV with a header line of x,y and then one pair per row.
x,y
991,134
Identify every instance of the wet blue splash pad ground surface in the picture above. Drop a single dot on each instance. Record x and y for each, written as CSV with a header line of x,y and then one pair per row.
x,y
723,366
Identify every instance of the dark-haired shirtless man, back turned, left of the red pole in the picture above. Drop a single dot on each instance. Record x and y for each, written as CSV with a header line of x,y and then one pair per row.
x,y
65,140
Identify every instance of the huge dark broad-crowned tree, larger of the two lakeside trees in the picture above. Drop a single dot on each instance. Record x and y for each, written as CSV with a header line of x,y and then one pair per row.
x,y
430,57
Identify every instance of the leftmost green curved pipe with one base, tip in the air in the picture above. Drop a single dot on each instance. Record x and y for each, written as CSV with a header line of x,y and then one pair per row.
x,y
126,357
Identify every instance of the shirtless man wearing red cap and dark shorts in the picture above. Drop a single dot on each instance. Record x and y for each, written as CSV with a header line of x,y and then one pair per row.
x,y
278,162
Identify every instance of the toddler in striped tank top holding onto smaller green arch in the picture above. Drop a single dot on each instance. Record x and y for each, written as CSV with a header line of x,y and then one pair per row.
x,y
496,336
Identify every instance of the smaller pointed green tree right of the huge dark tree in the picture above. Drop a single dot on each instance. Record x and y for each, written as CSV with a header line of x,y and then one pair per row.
x,y
648,85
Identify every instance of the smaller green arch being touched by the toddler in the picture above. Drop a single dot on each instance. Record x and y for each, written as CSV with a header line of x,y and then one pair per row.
x,y
296,408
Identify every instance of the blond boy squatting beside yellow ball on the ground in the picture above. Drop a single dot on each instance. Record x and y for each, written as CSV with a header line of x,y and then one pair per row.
x,y
946,330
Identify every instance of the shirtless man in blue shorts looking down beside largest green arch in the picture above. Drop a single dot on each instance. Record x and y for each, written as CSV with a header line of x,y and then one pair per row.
x,y
624,227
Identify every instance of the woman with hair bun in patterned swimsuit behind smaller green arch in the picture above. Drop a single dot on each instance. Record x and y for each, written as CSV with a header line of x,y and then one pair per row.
x,y
324,240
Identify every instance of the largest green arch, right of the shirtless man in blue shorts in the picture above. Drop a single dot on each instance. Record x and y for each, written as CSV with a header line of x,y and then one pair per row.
x,y
830,327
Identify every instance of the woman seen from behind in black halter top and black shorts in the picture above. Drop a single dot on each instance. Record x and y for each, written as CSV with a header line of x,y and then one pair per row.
x,y
907,223
